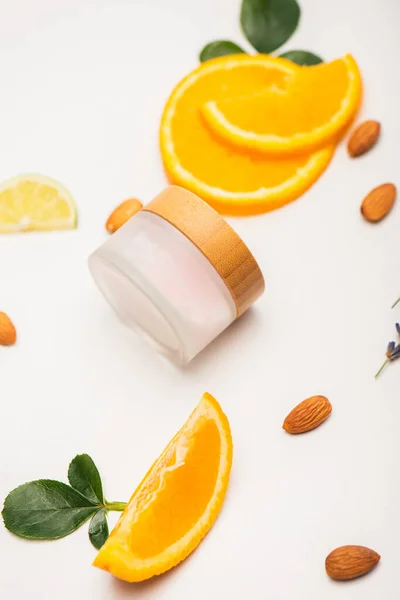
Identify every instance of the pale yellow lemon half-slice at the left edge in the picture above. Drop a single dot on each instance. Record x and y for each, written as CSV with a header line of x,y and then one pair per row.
x,y
35,203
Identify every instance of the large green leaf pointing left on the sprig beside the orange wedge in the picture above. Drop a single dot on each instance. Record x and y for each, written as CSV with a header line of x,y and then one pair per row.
x,y
45,509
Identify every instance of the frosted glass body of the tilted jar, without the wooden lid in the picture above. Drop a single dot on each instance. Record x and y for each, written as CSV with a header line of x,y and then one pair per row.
x,y
162,286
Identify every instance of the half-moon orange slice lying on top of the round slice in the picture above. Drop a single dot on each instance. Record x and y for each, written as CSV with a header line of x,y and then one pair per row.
x,y
315,105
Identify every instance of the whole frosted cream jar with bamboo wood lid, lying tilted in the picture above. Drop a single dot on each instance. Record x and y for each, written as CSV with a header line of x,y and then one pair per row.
x,y
177,273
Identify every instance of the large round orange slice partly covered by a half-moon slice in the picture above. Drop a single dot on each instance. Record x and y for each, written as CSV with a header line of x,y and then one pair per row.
x,y
232,180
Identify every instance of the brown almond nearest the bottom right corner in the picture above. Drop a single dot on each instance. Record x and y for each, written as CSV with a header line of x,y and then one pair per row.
x,y
349,562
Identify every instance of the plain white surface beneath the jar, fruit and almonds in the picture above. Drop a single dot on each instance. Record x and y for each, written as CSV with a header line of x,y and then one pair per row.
x,y
82,88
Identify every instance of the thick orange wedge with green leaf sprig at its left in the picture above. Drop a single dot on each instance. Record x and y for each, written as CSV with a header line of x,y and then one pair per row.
x,y
177,502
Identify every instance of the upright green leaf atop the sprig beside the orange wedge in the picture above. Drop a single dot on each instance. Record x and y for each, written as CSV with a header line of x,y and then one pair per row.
x,y
84,477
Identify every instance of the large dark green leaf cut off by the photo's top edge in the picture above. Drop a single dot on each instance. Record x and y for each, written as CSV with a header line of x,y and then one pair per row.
x,y
268,24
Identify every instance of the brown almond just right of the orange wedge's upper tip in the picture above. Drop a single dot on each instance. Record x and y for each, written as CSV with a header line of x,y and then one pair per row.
x,y
308,415
